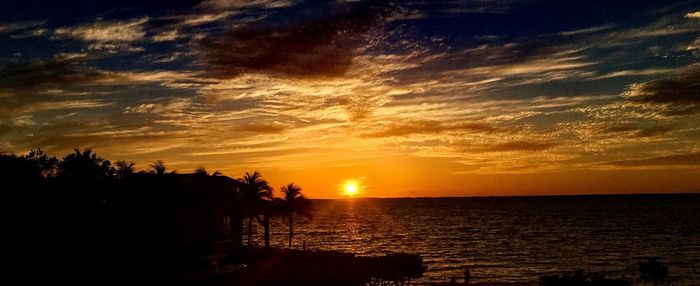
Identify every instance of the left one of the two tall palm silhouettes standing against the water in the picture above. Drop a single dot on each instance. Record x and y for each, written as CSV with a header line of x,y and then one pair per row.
x,y
254,192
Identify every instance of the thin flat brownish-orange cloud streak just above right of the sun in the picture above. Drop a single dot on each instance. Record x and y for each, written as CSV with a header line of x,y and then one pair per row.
x,y
430,127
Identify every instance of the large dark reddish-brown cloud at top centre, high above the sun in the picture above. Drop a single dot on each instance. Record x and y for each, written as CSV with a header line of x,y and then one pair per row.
x,y
323,46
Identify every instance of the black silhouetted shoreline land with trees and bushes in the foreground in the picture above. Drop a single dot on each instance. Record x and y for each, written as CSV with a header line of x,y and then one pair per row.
x,y
79,221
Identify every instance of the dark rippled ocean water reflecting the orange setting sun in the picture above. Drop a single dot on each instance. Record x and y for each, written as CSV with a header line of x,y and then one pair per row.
x,y
512,240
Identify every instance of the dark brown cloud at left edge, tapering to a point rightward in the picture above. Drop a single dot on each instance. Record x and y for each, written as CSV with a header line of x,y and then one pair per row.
x,y
62,82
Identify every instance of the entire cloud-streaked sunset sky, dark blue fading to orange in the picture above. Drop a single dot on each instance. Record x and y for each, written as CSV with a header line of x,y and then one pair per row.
x,y
406,98
